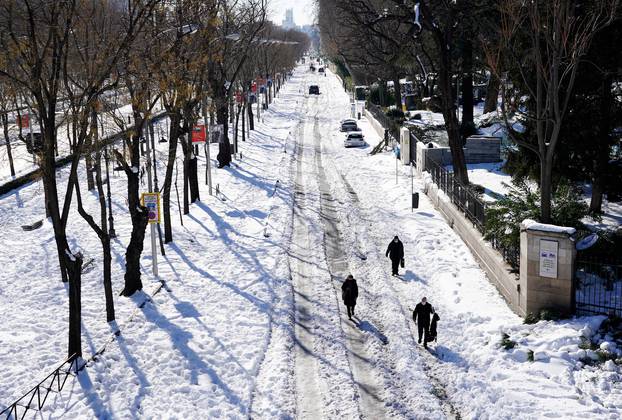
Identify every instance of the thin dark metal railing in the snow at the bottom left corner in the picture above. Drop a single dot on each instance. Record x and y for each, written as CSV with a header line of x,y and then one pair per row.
x,y
37,396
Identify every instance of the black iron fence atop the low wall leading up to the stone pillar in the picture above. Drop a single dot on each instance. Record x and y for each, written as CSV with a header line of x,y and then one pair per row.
x,y
471,205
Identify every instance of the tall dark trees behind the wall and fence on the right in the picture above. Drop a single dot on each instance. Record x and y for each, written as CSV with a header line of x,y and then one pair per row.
x,y
534,46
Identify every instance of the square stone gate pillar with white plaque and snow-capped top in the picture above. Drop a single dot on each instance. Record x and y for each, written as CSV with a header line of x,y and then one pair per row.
x,y
547,256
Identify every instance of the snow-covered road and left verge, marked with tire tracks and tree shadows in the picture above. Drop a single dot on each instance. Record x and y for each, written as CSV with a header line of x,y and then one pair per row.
x,y
250,323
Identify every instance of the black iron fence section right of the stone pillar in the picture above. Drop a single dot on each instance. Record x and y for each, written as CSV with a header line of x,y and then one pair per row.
x,y
598,286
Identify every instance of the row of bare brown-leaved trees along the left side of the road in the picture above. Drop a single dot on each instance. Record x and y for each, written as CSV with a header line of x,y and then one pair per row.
x,y
182,60
